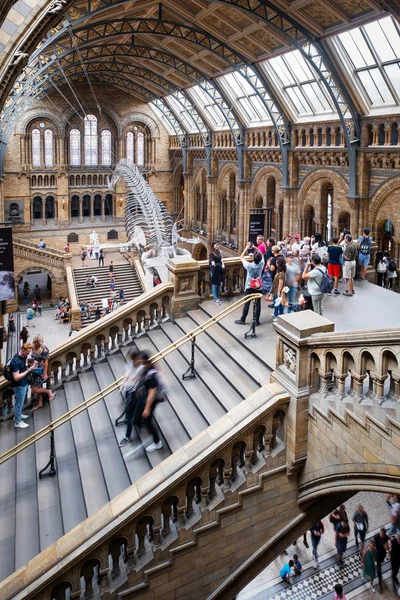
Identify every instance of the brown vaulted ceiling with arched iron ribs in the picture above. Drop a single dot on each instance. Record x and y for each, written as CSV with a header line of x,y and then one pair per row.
x,y
152,49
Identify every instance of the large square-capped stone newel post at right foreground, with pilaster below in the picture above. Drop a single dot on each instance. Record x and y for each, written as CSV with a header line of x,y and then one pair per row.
x,y
292,372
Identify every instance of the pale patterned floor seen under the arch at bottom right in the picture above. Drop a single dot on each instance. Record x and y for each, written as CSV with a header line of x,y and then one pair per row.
x,y
313,584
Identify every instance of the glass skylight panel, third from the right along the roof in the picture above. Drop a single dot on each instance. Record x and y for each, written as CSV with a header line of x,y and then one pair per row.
x,y
245,99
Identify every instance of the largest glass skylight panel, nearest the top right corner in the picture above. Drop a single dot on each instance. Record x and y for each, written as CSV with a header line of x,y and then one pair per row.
x,y
371,54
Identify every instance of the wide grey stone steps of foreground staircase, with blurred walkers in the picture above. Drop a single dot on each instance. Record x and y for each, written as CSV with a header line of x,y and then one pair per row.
x,y
91,468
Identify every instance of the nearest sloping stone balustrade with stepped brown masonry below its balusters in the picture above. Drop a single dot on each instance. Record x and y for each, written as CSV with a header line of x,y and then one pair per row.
x,y
193,494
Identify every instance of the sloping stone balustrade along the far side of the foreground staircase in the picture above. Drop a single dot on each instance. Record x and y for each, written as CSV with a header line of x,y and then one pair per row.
x,y
118,328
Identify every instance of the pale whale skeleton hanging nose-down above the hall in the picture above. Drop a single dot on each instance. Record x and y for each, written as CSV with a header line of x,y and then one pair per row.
x,y
147,221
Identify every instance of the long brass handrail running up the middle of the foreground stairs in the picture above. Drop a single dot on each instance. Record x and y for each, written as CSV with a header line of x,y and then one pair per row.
x,y
38,435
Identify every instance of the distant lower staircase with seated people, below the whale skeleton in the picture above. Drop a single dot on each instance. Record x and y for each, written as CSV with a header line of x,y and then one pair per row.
x,y
125,278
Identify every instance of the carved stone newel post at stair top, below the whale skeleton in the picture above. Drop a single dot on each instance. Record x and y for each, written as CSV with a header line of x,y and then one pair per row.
x,y
183,273
